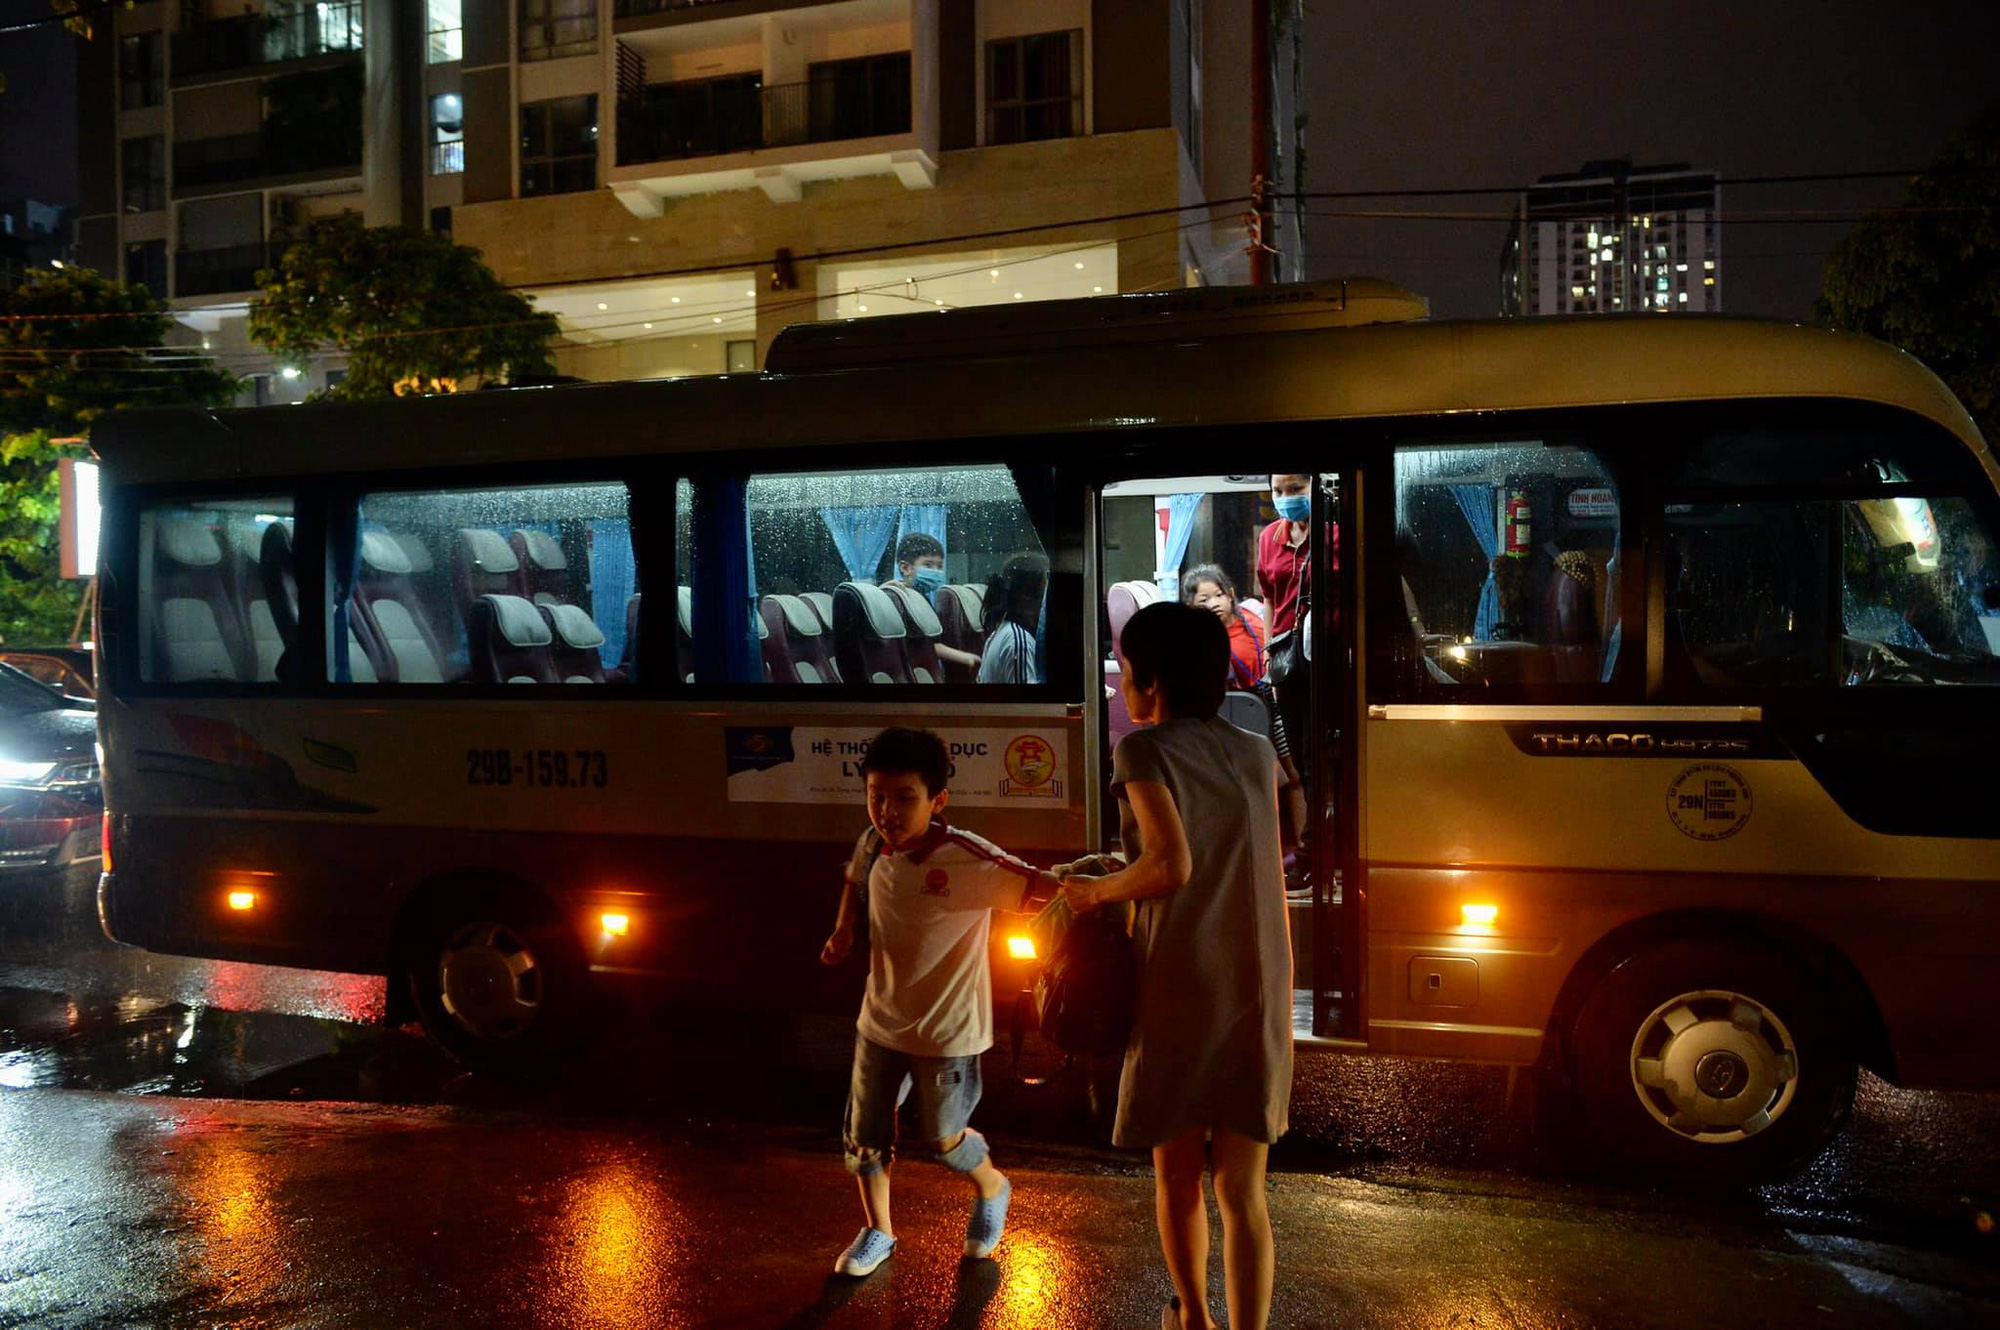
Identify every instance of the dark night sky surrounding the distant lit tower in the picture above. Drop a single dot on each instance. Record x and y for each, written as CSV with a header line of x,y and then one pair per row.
x,y
1487,93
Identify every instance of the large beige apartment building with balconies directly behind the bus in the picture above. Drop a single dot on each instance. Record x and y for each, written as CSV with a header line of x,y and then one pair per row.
x,y
681,179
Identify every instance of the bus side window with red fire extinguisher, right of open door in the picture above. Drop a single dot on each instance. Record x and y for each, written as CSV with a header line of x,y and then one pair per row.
x,y
1509,565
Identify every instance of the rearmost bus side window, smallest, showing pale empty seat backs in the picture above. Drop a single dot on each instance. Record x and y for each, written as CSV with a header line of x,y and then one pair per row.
x,y
217,591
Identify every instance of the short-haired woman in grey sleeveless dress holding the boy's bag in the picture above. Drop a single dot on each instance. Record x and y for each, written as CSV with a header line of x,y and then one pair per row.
x,y
1209,1071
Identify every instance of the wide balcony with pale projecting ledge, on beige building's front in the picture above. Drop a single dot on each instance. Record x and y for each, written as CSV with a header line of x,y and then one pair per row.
x,y
851,119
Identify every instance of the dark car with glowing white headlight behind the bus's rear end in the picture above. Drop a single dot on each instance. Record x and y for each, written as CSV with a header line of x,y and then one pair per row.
x,y
51,799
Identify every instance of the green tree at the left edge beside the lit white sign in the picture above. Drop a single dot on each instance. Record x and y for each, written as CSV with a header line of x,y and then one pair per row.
x,y
75,347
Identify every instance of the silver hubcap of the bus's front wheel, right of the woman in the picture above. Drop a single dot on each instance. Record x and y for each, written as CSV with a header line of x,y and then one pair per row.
x,y
1715,1067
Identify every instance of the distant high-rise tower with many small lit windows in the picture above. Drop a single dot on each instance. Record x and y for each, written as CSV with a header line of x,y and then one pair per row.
x,y
1617,239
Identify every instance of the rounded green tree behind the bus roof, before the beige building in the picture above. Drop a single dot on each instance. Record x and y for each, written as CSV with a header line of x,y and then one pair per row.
x,y
413,313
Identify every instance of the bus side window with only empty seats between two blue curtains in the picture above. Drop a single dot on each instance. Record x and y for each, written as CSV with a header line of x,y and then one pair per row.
x,y
529,585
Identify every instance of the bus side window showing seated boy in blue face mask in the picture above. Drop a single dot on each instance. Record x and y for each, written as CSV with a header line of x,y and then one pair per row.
x,y
863,577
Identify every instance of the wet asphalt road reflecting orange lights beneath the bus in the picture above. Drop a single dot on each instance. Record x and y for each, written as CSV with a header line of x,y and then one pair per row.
x,y
261,1153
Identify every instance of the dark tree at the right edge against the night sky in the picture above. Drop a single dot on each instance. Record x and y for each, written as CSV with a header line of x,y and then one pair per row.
x,y
1927,277
